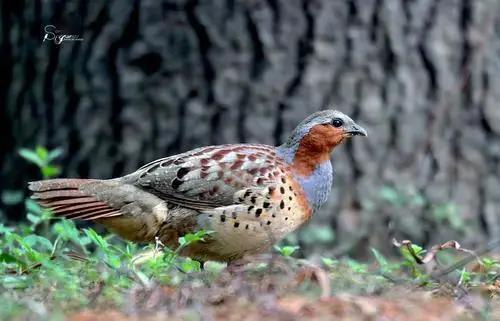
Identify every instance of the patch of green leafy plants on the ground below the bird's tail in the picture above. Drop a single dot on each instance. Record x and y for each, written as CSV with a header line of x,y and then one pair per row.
x,y
67,262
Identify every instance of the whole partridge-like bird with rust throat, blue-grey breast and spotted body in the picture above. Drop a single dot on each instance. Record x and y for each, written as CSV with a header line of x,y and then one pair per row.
x,y
249,196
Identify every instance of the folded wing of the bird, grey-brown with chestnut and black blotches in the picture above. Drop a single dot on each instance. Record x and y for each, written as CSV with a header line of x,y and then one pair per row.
x,y
209,177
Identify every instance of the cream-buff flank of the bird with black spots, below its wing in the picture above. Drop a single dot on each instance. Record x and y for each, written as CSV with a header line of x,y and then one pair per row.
x,y
261,217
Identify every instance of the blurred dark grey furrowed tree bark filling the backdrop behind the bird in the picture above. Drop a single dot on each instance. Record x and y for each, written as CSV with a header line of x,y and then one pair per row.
x,y
155,78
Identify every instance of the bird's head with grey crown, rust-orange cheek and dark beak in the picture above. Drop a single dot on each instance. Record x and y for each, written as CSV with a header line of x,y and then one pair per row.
x,y
315,137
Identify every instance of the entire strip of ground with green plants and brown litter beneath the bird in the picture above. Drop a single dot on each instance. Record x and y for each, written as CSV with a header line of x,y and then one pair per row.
x,y
51,269
